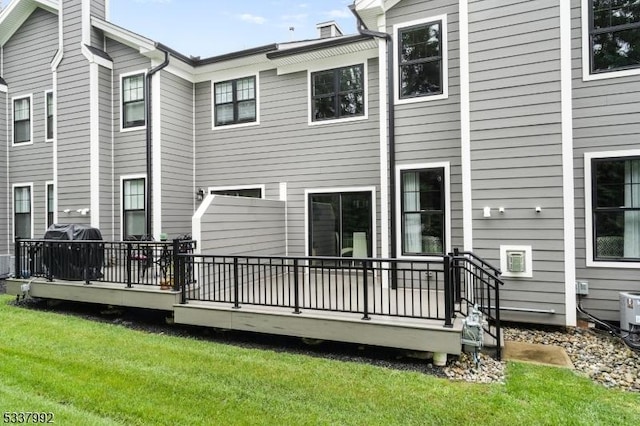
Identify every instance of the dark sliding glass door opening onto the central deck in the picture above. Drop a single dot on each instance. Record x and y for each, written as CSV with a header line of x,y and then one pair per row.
x,y
340,224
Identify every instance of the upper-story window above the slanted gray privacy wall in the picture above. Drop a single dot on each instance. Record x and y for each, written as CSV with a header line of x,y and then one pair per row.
x,y
235,101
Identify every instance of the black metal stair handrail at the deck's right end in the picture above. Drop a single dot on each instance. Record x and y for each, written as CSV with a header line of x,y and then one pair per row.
x,y
476,282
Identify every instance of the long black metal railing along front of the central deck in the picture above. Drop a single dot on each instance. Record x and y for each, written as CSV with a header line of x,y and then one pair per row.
x,y
389,287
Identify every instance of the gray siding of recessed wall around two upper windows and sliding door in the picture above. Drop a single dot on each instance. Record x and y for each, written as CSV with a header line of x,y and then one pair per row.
x,y
285,148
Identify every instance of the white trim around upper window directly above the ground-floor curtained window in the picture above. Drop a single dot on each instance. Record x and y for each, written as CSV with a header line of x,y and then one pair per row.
x,y
445,61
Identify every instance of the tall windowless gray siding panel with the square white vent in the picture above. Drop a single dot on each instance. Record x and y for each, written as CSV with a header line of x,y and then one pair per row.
x,y
516,145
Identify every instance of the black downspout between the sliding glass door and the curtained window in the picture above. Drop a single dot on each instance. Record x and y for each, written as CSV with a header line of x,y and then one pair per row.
x,y
362,29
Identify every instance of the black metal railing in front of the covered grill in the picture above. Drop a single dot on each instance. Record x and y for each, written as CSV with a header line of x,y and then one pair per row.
x,y
127,262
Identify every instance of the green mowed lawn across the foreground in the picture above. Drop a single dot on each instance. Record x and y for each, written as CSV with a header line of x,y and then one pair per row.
x,y
94,373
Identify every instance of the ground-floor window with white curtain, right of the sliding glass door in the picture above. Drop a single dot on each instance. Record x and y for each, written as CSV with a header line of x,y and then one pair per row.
x,y
422,211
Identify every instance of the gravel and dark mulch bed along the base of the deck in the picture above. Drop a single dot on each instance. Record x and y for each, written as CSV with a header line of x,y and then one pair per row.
x,y
594,353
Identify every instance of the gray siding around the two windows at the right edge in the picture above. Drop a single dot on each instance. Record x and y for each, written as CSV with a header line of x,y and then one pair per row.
x,y
606,117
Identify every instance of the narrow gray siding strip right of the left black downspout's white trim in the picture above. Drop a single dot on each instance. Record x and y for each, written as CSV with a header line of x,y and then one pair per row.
x,y
178,192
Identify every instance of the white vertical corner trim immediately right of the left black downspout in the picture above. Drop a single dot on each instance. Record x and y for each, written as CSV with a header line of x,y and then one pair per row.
x,y
156,155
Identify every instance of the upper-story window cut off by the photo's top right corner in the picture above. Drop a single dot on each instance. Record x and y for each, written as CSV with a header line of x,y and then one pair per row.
x,y
614,34
